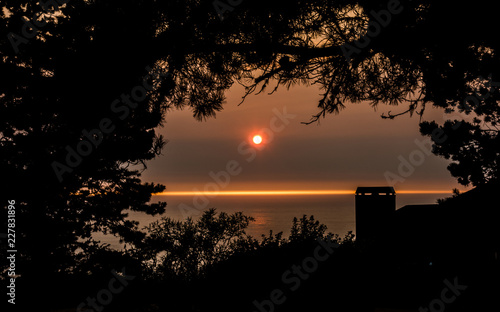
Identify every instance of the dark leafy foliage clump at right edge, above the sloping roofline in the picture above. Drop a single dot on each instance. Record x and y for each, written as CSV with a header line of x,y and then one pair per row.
x,y
471,141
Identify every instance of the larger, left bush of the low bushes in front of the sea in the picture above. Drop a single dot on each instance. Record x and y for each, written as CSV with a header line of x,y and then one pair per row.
x,y
187,248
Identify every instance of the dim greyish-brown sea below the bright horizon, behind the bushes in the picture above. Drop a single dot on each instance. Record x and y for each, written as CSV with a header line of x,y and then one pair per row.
x,y
273,212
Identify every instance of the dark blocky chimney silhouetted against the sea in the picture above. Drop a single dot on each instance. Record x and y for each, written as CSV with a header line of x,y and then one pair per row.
x,y
375,207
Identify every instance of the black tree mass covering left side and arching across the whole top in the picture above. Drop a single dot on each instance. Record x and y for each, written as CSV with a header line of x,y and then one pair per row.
x,y
72,67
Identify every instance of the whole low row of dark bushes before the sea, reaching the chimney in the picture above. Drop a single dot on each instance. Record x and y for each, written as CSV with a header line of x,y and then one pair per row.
x,y
189,248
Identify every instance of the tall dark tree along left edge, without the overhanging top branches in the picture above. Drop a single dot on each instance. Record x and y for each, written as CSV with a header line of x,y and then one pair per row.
x,y
70,157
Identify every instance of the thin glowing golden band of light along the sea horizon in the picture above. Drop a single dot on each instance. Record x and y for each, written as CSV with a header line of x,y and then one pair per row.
x,y
288,192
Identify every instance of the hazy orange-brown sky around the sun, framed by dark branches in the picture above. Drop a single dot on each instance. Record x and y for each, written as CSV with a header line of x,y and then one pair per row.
x,y
354,148
